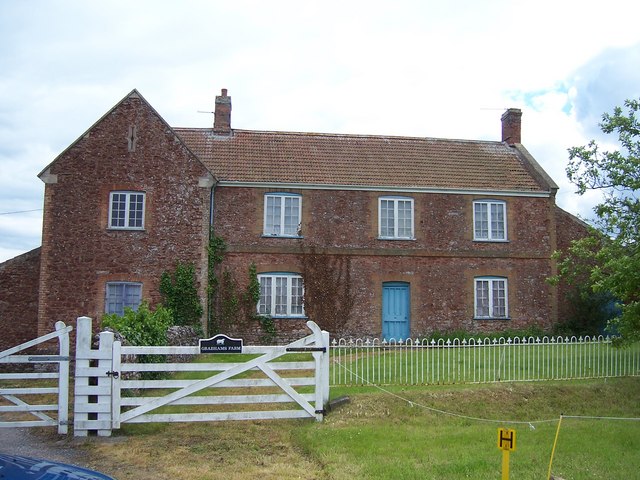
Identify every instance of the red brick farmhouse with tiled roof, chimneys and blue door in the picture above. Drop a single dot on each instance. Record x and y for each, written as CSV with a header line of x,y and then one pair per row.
x,y
368,235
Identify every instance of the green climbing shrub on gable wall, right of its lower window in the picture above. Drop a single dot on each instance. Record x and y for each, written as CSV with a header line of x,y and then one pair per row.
x,y
180,295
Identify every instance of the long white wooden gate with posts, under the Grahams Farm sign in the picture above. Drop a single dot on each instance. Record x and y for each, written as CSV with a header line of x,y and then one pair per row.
x,y
238,388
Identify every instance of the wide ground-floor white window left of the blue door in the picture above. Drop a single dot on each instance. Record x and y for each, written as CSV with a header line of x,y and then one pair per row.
x,y
281,295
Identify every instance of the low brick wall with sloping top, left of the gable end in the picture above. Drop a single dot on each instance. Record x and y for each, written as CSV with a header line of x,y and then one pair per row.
x,y
19,299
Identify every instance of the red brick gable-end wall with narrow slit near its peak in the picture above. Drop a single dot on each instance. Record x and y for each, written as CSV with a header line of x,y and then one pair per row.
x,y
80,253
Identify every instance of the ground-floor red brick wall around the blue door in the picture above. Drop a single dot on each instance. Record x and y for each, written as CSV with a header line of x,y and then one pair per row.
x,y
442,292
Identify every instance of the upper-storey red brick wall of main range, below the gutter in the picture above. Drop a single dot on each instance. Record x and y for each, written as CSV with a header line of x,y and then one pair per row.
x,y
349,219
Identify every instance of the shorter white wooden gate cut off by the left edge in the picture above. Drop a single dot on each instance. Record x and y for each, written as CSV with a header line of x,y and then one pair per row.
x,y
13,409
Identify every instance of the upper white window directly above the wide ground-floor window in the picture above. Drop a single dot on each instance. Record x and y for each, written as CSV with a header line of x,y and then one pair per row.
x,y
282,214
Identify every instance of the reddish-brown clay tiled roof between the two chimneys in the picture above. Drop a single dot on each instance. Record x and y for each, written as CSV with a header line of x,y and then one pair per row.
x,y
363,161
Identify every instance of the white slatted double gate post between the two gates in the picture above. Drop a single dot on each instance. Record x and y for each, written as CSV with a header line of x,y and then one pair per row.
x,y
92,404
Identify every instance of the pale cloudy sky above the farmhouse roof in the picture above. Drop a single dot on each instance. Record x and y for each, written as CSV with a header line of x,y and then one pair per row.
x,y
410,68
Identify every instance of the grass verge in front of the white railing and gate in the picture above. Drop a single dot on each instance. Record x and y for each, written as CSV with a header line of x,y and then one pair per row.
x,y
402,433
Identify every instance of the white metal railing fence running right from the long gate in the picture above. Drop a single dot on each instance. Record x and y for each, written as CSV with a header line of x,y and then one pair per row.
x,y
482,360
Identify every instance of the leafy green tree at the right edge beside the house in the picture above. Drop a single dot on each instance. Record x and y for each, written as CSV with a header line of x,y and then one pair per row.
x,y
609,259
